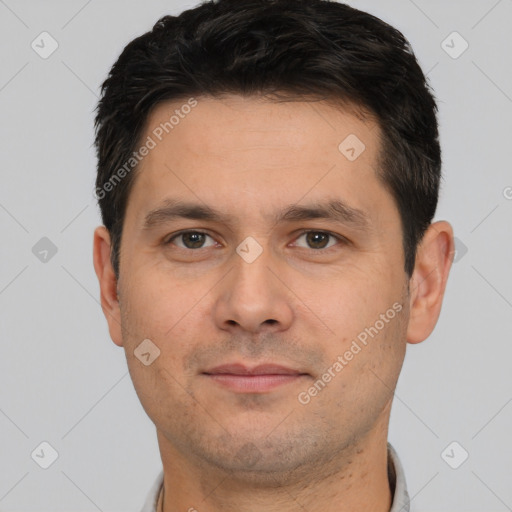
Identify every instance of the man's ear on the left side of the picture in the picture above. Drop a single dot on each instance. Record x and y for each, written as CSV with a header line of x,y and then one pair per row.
x,y
108,283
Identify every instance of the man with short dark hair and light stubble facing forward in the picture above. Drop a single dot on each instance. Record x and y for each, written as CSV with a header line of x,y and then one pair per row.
x,y
268,174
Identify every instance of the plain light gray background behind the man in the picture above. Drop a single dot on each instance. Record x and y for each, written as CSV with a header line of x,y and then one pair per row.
x,y
64,382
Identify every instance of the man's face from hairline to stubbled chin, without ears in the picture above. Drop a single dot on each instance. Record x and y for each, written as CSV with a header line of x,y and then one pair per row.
x,y
249,288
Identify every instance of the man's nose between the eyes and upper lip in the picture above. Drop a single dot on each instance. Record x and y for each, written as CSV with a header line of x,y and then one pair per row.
x,y
252,298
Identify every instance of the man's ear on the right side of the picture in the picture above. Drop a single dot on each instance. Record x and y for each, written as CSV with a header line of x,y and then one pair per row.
x,y
428,281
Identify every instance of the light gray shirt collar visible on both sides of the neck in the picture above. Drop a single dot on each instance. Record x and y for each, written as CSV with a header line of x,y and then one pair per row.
x,y
395,474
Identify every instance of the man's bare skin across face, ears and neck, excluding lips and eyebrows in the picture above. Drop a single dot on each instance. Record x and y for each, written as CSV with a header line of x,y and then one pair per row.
x,y
300,304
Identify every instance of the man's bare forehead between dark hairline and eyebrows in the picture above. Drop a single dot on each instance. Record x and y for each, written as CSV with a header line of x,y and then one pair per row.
x,y
238,152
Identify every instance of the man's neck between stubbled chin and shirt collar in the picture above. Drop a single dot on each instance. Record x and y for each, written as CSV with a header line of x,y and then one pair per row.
x,y
355,480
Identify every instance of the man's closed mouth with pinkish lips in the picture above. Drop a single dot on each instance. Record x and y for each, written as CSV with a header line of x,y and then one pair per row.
x,y
258,379
